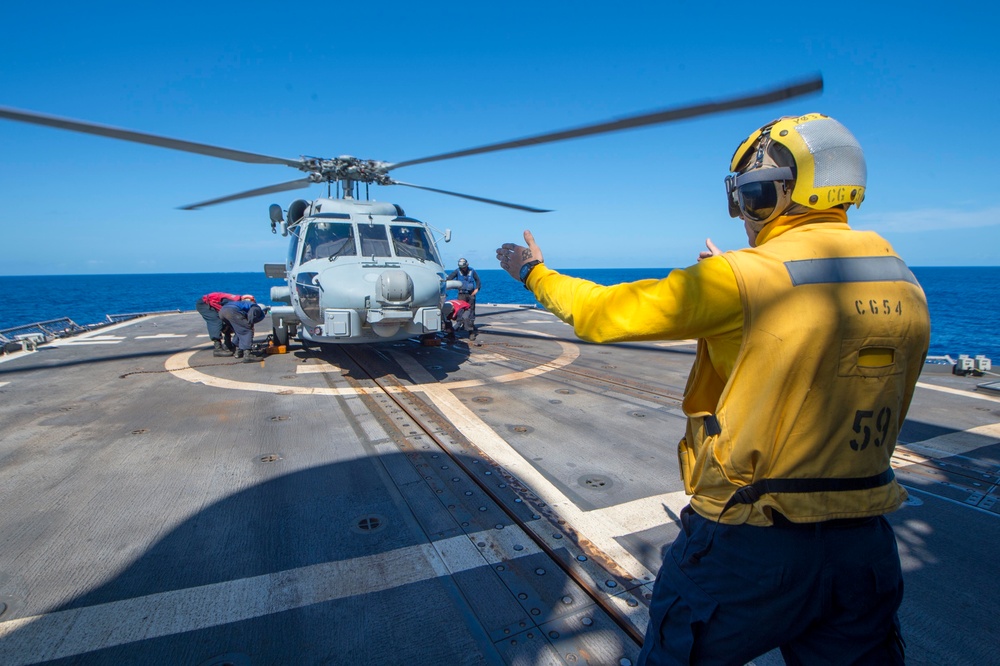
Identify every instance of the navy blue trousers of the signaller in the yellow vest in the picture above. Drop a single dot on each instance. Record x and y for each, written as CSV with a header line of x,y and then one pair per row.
x,y
825,593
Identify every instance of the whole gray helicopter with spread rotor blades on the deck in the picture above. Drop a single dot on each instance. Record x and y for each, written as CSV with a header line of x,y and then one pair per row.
x,y
358,270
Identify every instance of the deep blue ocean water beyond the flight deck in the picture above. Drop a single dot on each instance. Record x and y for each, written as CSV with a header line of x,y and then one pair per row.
x,y
963,301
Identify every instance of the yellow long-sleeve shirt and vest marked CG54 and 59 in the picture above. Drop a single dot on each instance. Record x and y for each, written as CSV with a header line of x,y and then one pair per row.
x,y
739,330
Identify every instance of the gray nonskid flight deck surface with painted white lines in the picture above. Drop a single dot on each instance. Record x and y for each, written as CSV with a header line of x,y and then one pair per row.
x,y
265,513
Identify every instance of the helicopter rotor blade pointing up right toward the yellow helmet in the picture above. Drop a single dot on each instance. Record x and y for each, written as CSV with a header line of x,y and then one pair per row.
x,y
632,122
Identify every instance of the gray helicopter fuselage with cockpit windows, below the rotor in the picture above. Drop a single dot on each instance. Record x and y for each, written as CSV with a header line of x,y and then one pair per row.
x,y
356,272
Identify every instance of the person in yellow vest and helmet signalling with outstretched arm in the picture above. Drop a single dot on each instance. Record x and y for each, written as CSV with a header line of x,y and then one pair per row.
x,y
810,343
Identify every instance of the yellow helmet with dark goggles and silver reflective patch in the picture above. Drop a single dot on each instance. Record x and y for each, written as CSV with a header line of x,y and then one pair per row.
x,y
809,160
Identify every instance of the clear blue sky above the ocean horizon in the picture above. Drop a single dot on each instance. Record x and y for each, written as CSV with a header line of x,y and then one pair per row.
x,y
917,83
